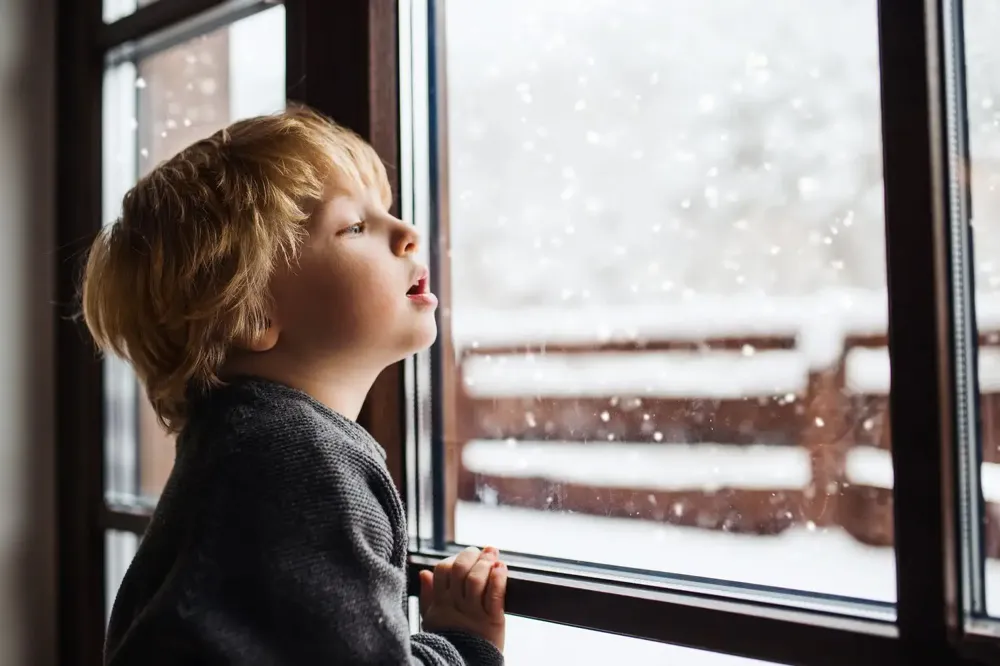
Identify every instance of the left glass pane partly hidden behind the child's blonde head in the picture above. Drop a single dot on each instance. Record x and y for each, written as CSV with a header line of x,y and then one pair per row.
x,y
153,109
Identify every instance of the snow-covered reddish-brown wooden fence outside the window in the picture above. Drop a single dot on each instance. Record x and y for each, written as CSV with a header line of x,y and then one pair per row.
x,y
731,414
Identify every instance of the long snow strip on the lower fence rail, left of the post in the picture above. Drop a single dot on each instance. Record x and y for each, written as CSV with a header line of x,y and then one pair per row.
x,y
655,467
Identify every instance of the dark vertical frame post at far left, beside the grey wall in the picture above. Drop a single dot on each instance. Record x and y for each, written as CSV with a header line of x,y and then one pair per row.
x,y
79,374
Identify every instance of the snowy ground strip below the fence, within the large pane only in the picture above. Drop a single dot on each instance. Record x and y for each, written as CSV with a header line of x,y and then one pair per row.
x,y
824,561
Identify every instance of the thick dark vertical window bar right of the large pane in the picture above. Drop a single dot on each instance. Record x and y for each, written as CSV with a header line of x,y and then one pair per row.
x,y
922,399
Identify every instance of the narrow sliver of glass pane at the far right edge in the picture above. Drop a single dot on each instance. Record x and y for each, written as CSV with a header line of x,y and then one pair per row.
x,y
982,58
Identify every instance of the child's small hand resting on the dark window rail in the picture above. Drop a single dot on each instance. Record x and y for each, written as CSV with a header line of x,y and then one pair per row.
x,y
466,592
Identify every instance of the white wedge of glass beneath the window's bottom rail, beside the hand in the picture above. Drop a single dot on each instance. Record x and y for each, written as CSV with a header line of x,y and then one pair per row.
x,y
536,643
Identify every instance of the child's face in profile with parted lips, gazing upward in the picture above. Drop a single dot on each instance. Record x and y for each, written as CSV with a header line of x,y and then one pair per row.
x,y
348,295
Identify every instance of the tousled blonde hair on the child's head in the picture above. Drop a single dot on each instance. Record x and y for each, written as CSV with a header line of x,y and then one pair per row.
x,y
184,272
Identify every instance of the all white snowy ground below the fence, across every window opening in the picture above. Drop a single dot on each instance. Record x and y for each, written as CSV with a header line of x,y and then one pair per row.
x,y
819,561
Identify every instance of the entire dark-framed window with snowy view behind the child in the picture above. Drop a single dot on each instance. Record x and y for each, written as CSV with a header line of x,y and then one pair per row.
x,y
681,248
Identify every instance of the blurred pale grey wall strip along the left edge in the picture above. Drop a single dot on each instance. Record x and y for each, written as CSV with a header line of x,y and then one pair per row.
x,y
27,515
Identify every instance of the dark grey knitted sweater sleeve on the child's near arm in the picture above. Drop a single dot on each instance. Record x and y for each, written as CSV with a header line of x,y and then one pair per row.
x,y
295,566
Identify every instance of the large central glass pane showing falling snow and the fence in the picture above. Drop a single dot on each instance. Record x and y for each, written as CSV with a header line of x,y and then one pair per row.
x,y
664,334
